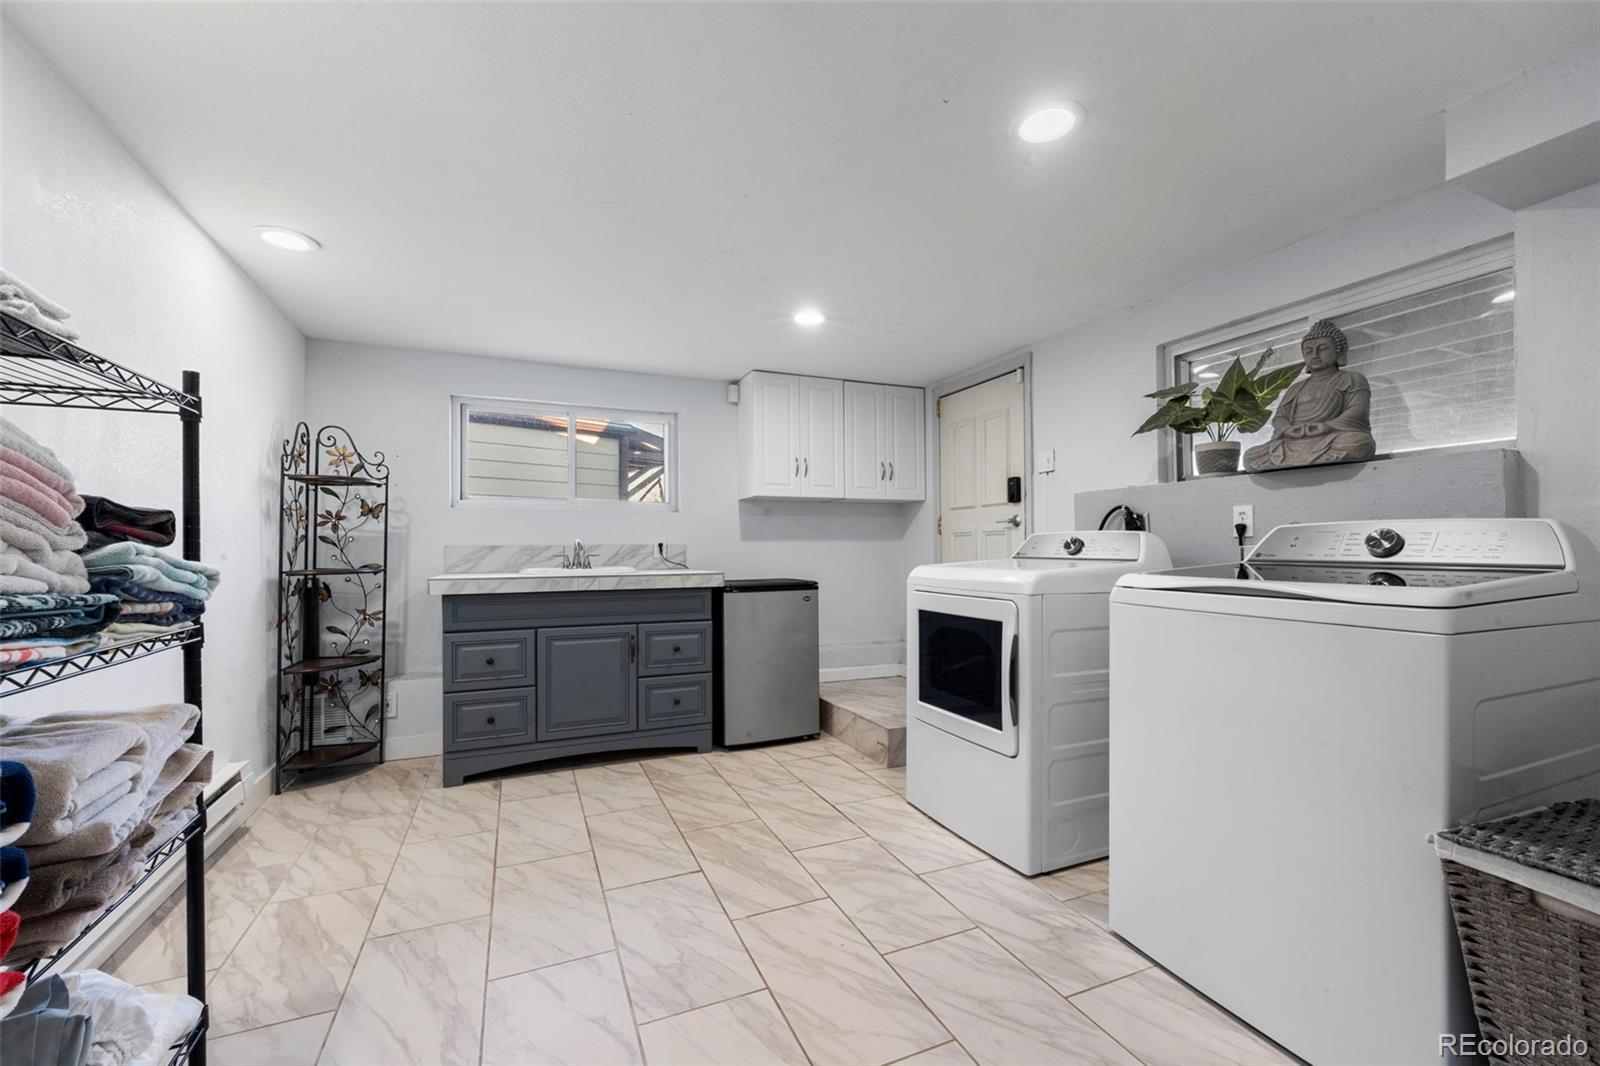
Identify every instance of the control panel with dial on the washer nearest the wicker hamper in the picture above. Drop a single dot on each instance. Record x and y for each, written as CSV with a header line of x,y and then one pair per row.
x,y
1511,543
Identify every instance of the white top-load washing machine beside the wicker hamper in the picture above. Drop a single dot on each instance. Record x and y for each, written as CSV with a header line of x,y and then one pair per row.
x,y
1287,732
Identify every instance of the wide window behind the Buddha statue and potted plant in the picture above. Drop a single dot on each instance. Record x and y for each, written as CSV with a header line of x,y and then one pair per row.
x,y
1436,343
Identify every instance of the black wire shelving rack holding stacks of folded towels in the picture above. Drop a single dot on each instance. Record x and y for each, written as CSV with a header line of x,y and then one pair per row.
x,y
42,371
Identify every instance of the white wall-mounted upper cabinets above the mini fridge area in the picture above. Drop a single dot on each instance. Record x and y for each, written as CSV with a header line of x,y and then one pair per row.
x,y
830,439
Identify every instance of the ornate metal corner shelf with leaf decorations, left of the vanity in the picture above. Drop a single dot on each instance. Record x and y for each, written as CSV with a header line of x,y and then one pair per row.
x,y
334,596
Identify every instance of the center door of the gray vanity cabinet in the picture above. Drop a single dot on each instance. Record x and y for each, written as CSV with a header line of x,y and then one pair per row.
x,y
588,681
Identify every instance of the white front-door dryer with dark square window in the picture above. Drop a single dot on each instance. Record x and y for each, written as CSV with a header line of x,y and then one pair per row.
x,y
1007,695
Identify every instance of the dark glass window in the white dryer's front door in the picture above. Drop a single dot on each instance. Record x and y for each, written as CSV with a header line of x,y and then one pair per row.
x,y
961,665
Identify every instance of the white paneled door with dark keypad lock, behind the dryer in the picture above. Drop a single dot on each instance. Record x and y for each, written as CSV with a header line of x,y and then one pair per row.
x,y
980,447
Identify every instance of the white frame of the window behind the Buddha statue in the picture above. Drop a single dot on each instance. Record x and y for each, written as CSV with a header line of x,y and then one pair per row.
x,y
1458,266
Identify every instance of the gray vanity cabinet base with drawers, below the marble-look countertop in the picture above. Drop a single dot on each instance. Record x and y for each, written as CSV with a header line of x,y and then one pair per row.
x,y
537,676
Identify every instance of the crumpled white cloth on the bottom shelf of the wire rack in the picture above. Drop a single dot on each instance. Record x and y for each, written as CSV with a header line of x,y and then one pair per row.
x,y
132,1025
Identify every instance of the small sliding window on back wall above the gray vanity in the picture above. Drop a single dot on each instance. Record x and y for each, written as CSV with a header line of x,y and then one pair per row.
x,y
556,454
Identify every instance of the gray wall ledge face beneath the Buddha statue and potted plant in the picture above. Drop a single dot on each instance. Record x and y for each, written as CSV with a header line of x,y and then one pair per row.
x,y
1193,516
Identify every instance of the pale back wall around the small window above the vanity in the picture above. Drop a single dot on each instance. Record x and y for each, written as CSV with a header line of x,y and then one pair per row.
x,y
399,403
